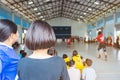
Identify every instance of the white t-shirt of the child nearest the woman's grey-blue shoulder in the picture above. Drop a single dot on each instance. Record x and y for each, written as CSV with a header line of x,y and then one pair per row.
x,y
74,73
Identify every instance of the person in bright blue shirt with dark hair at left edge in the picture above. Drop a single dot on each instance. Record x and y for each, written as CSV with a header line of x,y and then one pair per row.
x,y
8,57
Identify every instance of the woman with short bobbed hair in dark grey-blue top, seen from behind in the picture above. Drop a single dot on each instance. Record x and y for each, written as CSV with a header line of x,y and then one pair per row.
x,y
40,65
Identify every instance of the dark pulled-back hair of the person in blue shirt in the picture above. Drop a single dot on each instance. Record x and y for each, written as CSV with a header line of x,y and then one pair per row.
x,y
7,27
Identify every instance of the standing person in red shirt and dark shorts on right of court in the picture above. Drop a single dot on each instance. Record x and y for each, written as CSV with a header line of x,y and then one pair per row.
x,y
102,45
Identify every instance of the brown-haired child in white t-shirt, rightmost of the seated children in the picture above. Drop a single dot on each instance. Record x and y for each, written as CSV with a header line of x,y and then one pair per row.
x,y
88,73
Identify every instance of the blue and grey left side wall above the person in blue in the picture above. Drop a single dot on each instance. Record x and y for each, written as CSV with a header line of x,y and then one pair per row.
x,y
5,13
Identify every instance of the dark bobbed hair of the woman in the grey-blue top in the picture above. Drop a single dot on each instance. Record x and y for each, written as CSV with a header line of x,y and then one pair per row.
x,y
40,35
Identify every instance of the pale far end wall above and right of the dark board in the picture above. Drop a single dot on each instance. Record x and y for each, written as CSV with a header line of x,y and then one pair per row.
x,y
78,28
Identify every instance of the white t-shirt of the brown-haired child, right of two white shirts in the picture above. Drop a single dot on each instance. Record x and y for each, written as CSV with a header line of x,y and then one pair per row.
x,y
89,74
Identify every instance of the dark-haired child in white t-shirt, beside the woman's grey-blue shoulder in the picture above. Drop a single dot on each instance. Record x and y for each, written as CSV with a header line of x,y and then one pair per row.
x,y
74,73
